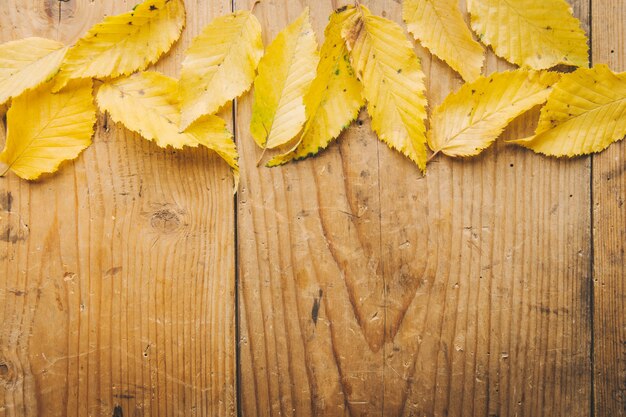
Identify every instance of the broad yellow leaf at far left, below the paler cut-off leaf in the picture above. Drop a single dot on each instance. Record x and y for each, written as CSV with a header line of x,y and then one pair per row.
x,y
45,129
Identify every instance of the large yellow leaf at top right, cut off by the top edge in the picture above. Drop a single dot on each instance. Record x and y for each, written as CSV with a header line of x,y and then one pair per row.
x,y
537,34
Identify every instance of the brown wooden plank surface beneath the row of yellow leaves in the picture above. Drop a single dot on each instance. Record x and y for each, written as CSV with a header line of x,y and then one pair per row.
x,y
133,284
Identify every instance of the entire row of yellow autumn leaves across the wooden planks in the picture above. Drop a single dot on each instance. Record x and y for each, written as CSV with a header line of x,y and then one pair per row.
x,y
304,98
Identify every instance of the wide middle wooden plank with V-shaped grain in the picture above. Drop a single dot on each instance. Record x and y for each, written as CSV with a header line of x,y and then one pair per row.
x,y
368,289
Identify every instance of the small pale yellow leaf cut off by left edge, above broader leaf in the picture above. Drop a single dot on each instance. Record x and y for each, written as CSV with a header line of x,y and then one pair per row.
x,y
27,63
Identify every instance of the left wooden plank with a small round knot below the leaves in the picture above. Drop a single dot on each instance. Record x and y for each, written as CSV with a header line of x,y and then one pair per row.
x,y
117,273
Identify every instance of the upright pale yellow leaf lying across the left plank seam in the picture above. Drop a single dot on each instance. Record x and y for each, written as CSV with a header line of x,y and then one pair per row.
x,y
219,65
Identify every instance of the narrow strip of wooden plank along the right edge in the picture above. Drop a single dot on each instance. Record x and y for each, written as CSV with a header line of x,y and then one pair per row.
x,y
609,235
